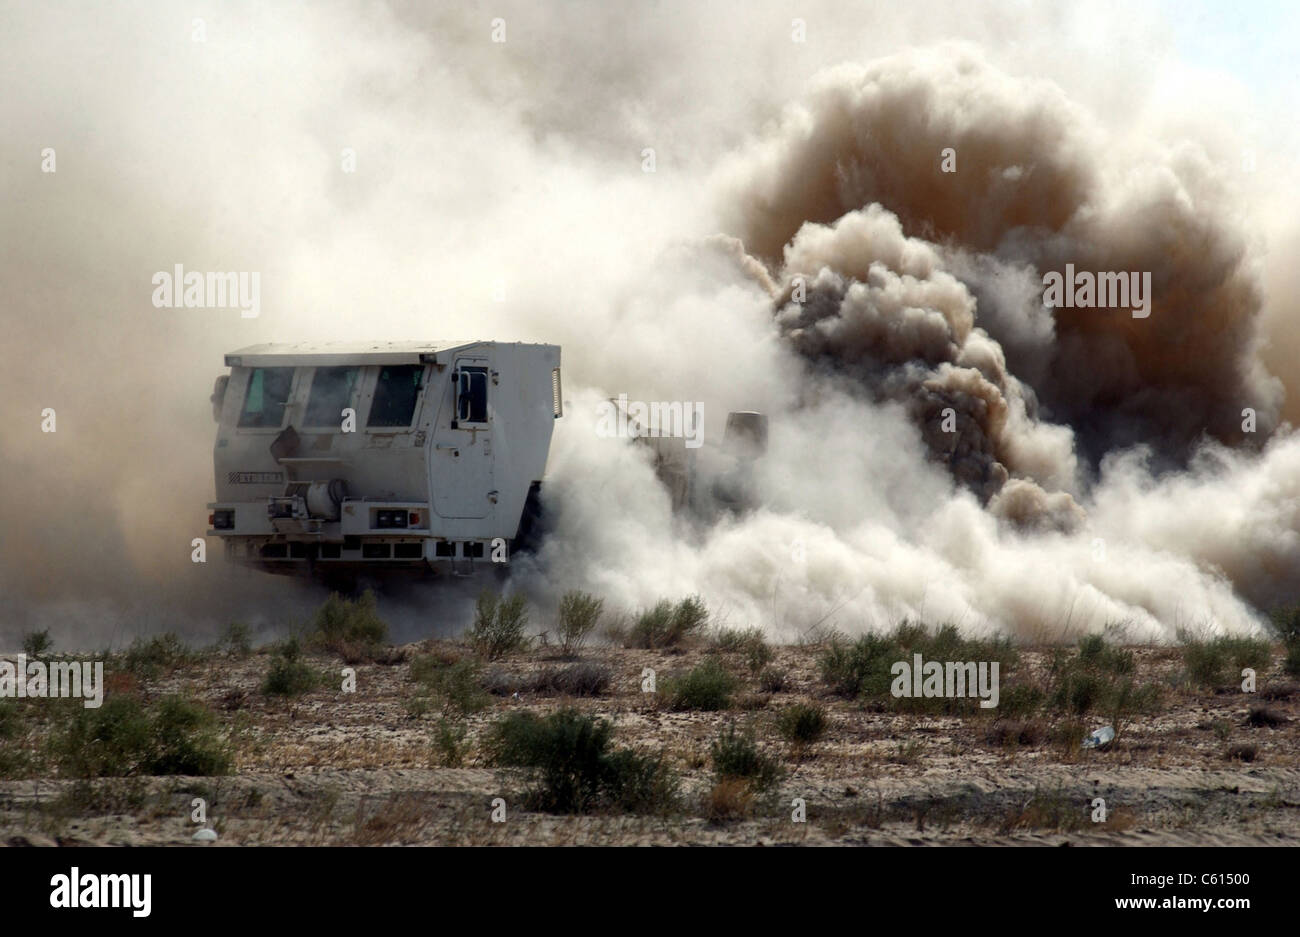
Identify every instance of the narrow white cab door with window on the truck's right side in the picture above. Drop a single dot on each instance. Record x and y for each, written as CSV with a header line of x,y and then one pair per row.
x,y
463,478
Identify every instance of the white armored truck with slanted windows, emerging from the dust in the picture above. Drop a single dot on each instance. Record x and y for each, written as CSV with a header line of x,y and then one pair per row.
x,y
362,459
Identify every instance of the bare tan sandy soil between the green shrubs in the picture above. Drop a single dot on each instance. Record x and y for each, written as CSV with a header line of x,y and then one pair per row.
x,y
361,769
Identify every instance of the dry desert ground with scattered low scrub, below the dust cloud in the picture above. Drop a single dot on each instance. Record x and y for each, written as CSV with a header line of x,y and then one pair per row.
x,y
406,758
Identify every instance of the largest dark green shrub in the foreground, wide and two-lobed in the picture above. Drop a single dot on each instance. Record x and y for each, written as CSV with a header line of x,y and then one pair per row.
x,y
573,767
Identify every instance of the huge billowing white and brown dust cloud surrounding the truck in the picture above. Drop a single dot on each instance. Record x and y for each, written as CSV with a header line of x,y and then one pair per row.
x,y
798,251
